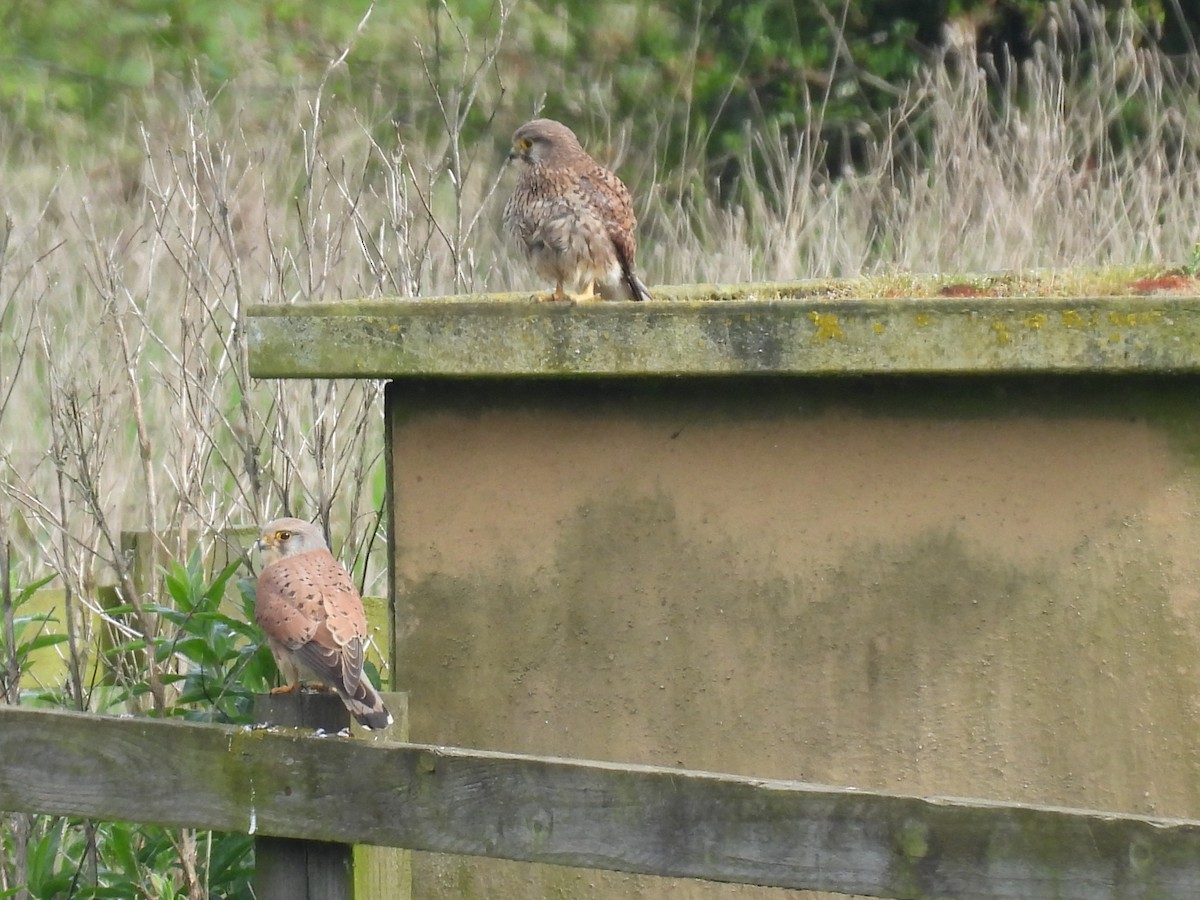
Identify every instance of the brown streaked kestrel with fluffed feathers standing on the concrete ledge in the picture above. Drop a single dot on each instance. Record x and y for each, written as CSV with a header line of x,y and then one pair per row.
x,y
573,219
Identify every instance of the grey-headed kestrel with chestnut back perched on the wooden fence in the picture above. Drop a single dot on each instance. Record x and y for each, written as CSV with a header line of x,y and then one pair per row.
x,y
313,616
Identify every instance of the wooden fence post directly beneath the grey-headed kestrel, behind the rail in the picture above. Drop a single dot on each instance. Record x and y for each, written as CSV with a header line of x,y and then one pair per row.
x,y
289,869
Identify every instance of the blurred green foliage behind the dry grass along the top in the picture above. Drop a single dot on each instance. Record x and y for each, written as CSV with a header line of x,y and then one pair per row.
x,y
691,74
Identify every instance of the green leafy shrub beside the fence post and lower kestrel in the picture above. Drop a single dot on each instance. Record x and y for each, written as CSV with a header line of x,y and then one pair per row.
x,y
218,663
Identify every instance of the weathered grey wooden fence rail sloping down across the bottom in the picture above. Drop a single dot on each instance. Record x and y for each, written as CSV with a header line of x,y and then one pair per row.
x,y
585,814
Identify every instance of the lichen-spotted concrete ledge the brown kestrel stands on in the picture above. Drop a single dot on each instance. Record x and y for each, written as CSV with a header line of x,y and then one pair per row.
x,y
514,337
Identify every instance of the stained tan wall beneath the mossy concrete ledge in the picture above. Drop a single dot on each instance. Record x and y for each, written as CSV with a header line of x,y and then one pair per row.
x,y
985,587
